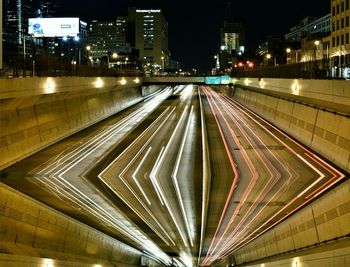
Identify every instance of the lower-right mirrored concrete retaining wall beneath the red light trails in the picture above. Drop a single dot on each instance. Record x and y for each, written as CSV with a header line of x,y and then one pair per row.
x,y
325,220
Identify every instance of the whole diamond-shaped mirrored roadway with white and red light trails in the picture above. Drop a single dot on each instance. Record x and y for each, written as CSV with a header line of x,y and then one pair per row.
x,y
140,176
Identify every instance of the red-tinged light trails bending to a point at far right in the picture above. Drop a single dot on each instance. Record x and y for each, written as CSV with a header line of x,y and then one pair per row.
x,y
237,240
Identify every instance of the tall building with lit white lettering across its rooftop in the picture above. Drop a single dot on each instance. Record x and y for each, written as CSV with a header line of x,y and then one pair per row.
x,y
149,34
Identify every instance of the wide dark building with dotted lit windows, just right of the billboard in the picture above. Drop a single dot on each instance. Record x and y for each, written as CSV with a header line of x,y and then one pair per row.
x,y
106,36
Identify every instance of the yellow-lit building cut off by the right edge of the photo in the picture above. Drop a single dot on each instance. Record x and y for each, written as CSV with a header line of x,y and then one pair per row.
x,y
340,38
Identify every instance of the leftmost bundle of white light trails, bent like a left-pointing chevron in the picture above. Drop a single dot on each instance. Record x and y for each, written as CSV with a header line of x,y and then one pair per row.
x,y
62,164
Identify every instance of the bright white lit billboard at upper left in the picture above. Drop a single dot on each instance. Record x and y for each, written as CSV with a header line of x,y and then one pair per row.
x,y
53,27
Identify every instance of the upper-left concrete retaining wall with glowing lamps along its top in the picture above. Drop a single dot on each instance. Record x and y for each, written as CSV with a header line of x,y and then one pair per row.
x,y
37,112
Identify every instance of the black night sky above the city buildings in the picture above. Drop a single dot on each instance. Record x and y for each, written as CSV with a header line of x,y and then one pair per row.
x,y
194,25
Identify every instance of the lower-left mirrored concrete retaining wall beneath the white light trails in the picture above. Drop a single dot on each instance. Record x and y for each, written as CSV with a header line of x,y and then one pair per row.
x,y
30,231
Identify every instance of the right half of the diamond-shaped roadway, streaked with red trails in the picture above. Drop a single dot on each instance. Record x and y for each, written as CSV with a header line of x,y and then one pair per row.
x,y
260,176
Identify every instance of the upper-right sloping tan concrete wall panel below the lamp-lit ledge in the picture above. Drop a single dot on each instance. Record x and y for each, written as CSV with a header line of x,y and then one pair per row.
x,y
328,133
